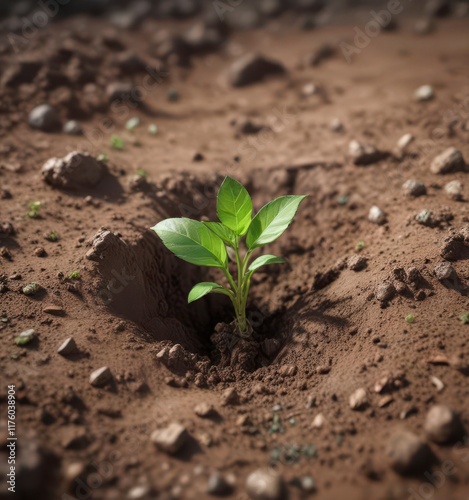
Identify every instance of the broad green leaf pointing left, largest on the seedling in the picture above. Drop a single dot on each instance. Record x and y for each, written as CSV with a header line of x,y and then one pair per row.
x,y
193,242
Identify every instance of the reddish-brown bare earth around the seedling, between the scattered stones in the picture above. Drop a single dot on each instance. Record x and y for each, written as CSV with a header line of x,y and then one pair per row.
x,y
333,335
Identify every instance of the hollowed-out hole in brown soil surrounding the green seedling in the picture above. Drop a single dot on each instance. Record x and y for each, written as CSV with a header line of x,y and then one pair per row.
x,y
143,282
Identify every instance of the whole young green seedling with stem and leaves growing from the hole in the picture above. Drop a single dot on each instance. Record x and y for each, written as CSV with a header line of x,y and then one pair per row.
x,y
208,243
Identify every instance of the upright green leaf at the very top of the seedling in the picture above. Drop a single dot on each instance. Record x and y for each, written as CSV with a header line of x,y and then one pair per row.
x,y
234,206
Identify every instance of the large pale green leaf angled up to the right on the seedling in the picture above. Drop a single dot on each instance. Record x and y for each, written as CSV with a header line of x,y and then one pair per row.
x,y
272,220
